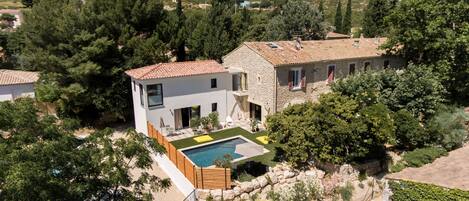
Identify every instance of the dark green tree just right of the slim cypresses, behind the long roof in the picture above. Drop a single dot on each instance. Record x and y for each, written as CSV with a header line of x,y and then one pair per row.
x,y
373,19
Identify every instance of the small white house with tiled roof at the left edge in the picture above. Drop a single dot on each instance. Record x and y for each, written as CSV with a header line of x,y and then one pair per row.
x,y
15,84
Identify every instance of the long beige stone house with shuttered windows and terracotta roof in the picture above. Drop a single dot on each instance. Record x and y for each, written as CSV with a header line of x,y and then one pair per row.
x,y
269,76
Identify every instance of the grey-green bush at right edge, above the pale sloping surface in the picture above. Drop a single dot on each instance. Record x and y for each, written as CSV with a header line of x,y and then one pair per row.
x,y
448,129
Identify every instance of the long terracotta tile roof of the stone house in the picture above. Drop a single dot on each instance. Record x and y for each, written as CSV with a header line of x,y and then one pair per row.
x,y
319,50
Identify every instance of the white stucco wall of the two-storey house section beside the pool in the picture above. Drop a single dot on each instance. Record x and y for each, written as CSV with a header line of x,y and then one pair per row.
x,y
183,92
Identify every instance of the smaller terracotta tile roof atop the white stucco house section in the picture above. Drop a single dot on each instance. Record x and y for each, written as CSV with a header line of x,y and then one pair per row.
x,y
176,69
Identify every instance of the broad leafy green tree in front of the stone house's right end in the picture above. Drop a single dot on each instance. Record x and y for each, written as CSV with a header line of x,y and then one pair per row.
x,y
416,89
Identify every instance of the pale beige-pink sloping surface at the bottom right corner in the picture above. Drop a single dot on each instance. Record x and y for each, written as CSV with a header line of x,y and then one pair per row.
x,y
451,171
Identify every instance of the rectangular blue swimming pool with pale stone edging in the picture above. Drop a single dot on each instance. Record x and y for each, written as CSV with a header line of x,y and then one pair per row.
x,y
205,155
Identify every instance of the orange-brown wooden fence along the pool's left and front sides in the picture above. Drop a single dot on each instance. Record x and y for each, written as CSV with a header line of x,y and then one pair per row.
x,y
204,178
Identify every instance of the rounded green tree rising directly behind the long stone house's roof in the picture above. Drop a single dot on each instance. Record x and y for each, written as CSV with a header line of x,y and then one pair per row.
x,y
297,18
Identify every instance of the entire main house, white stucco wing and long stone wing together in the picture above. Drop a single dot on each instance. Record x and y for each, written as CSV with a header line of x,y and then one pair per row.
x,y
254,80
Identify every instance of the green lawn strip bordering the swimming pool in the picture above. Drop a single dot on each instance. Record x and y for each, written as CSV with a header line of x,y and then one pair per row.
x,y
266,159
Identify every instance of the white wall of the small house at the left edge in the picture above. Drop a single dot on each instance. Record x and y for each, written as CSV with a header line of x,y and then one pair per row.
x,y
11,92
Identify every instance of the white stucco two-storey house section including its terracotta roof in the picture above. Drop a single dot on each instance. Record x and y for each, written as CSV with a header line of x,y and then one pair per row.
x,y
169,95
